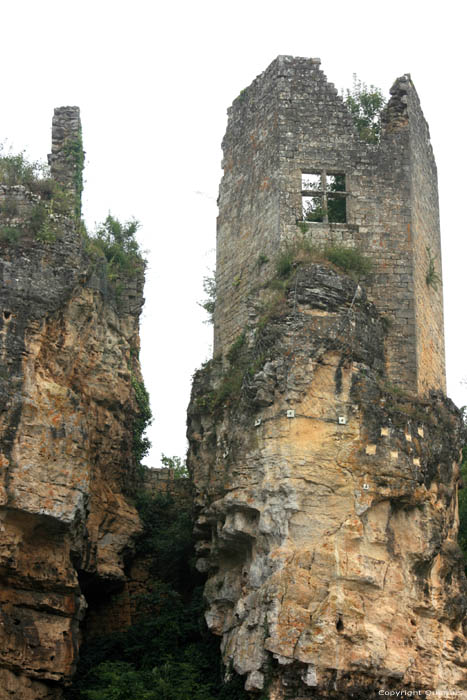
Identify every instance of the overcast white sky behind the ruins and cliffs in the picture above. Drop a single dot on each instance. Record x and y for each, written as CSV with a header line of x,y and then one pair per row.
x,y
154,81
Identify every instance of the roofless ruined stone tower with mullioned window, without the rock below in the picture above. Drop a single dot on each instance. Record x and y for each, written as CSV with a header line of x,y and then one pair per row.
x,y
290,130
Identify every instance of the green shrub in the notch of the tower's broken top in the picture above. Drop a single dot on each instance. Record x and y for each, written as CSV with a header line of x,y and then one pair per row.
x,y
365,104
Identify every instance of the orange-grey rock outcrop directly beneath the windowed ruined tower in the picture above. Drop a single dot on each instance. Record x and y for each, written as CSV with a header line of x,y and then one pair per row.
x,y
327,504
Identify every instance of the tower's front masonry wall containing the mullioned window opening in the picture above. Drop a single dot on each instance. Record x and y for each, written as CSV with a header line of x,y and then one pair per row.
x,y
319,134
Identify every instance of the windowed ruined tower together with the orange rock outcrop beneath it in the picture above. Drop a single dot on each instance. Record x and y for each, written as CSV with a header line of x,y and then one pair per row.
x,y
323,451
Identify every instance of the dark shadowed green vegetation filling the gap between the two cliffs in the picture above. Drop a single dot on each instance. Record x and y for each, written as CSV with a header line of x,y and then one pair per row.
x,y
168,654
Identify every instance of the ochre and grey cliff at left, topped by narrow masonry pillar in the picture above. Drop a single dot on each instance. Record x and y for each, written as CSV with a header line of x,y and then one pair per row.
x,y
69,346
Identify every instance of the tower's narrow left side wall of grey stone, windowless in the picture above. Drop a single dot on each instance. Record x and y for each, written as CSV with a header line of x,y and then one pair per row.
x,y
248,222
